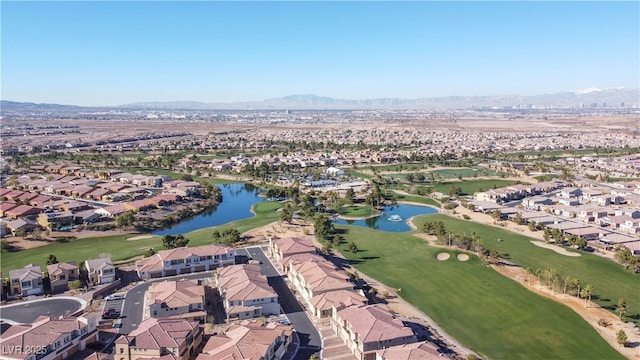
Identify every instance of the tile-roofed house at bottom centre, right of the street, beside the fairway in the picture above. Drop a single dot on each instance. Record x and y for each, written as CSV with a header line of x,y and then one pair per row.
x,y
367,328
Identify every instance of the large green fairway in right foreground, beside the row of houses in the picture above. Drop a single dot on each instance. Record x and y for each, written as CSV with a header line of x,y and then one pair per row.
x,y
485,311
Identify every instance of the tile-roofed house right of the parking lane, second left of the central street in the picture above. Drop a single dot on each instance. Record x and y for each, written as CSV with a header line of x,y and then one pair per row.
x,y
175,298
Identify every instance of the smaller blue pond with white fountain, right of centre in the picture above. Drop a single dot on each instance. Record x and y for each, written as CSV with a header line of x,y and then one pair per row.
x,y
393,218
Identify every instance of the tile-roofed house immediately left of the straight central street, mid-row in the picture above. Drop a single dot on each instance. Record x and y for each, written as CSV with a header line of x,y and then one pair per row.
x,y
246,292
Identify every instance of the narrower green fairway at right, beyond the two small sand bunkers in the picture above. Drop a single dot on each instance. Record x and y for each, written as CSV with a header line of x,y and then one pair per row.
x,y
610,280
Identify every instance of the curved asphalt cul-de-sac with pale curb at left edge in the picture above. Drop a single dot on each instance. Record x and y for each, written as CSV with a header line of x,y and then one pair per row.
x,y
29,311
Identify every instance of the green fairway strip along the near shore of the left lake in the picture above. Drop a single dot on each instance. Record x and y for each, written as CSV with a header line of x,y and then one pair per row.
x,y
119,248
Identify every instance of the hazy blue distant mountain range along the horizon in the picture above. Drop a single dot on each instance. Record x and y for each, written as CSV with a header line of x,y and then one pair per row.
x,y
587,97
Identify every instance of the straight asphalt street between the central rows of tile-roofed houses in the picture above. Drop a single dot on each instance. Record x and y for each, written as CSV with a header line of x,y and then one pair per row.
x,y
310,340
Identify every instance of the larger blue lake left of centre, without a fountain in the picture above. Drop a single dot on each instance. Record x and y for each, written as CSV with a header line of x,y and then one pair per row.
x,y
237,199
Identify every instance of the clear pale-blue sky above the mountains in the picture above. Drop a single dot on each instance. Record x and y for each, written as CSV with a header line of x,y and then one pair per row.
x,y
118,52
